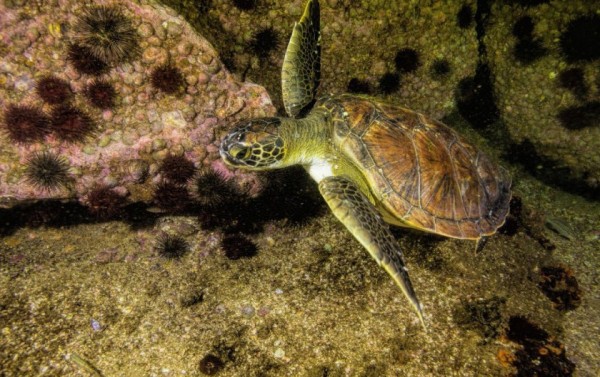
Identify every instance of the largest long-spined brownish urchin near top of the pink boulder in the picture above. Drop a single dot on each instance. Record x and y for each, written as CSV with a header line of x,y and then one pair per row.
x,y
108,34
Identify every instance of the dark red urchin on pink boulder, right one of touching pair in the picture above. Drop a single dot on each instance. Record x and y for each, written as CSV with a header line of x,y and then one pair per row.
x,y
71,124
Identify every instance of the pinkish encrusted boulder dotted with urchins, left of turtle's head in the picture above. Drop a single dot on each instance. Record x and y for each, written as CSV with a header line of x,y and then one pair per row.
x,y
127,141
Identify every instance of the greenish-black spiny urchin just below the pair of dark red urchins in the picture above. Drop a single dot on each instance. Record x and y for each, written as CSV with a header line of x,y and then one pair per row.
x,y
47,171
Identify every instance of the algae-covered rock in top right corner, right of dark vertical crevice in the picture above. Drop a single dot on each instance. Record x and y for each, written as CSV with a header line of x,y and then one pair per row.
x,y
547,97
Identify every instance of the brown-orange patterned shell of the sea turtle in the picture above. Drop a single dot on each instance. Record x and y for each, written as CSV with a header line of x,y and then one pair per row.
x,y
420,172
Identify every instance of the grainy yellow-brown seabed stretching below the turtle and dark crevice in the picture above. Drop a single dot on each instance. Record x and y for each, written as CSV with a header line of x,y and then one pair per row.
x,y
96,298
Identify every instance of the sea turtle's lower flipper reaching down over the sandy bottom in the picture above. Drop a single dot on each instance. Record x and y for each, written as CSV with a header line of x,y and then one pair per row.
x,y
361,218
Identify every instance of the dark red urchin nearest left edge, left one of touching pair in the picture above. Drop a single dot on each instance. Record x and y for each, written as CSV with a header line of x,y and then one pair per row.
x,y
25,123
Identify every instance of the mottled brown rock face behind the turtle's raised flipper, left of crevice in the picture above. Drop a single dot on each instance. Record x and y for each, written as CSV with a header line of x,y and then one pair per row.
x,y
361,41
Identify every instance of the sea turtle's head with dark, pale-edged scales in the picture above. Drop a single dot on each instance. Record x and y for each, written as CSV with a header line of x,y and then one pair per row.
x,y
254,144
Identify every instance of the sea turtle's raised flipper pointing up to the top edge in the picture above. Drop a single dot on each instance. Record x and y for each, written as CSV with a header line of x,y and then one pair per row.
x,y
301,71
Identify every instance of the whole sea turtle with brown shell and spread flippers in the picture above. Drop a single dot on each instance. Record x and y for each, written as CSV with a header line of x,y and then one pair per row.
x,y
374,162
